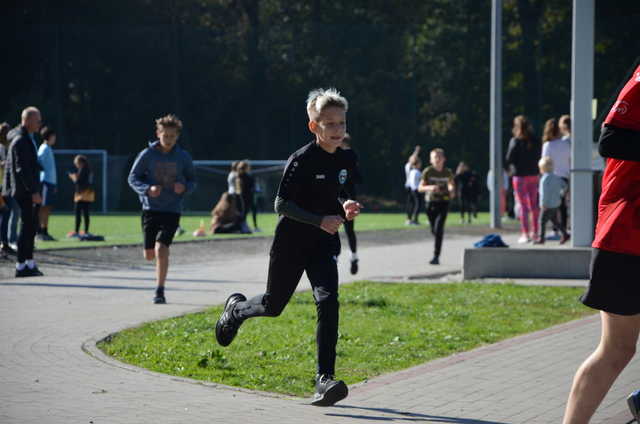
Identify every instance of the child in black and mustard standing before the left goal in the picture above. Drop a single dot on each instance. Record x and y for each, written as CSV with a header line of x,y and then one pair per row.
x,y
84,194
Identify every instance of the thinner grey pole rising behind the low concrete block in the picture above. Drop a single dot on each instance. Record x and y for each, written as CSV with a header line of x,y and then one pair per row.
x,y
496,111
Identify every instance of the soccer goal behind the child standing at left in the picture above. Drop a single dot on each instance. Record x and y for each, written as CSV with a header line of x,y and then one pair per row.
x,y
98,161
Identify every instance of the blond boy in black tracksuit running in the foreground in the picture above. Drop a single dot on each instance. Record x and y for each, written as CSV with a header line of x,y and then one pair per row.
x,y
311,210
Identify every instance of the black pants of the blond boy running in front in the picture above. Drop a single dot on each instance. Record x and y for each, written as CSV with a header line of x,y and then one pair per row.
x,y
285,271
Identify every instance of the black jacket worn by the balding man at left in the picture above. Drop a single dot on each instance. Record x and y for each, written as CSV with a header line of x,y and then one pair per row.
x,y
22,172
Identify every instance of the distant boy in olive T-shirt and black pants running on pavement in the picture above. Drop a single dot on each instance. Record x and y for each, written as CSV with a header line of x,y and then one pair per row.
x,y
437,183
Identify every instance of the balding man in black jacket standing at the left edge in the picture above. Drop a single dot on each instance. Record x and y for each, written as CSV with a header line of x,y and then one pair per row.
x,y
22,183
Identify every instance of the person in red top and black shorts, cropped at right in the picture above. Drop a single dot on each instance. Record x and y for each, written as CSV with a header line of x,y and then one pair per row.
x,y
614,288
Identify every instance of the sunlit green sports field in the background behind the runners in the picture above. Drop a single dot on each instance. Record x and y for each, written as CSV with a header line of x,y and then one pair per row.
x,y
120,229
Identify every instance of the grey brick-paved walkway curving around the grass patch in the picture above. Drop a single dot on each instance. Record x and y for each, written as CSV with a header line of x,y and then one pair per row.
x,y
51,372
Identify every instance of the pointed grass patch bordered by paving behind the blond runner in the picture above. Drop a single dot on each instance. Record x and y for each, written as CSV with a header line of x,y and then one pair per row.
x,y
383,328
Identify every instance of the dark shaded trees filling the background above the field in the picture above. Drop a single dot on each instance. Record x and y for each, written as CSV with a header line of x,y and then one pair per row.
x,y
237,72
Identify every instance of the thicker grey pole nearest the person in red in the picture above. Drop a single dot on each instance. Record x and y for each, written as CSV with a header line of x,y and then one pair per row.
x,y
582,123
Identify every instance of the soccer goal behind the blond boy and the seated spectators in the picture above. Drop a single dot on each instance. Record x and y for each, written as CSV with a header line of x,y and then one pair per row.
x,y
212,182
